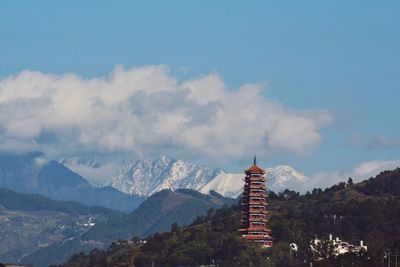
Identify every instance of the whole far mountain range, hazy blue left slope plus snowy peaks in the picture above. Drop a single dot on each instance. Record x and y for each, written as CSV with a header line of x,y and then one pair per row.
x,y
129,182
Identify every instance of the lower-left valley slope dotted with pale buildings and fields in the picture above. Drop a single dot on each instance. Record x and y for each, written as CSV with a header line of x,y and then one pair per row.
x,y
30,221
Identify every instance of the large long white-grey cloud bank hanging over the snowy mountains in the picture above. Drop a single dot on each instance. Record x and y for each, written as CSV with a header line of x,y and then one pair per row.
x,y
146,110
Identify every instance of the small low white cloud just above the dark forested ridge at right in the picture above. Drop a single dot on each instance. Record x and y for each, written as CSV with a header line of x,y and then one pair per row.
x,y
359,173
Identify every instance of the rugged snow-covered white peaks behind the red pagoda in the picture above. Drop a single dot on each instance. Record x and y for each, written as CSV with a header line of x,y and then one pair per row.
x,y
149,176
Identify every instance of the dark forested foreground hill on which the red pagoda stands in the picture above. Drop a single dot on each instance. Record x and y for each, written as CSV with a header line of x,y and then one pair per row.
x,y
369,211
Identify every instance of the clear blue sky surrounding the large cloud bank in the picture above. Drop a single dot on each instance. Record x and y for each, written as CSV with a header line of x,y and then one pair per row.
x,y
338,56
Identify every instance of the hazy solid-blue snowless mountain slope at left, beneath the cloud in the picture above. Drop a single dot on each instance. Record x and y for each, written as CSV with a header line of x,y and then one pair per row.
x,y
34,173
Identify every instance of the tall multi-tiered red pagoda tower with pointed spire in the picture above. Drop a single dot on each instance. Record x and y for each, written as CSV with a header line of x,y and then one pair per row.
x,y
254,207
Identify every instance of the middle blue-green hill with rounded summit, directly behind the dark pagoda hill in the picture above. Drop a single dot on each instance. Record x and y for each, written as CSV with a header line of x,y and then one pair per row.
x,y
156,214
